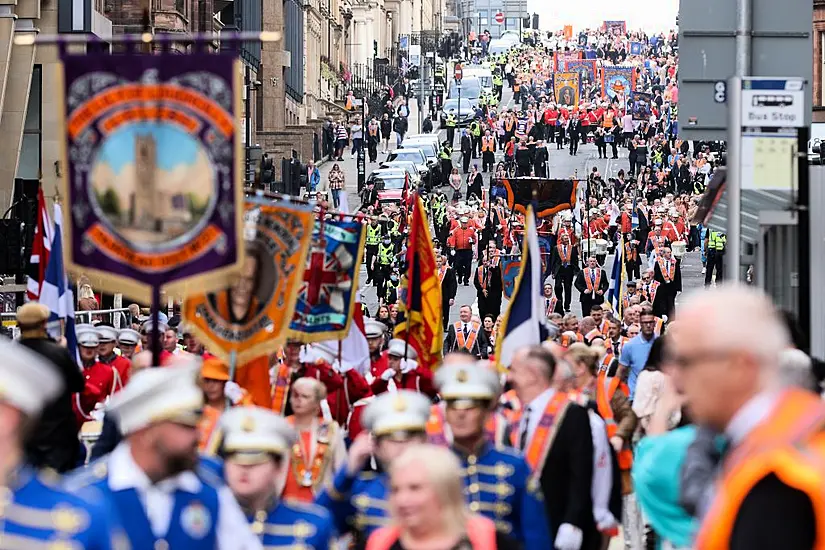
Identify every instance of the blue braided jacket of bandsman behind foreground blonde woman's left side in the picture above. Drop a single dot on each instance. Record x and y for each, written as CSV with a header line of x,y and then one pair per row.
x,y
358,503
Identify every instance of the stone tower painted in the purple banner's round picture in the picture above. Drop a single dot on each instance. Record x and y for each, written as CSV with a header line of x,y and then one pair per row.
x,y
144,211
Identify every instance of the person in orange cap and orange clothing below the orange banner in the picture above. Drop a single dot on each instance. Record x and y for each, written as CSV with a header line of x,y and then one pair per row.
x,y
219,393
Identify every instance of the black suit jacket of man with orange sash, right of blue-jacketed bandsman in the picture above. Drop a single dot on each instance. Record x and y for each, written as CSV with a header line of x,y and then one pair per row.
x,y
567,476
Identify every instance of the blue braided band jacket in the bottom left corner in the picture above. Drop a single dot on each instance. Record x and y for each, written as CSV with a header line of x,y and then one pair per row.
x,y
37,515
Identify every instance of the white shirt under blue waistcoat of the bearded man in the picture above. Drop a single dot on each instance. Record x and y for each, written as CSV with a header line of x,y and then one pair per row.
x,y
233,532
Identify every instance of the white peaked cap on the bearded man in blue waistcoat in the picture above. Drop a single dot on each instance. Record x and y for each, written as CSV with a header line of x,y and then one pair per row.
x,y
159,394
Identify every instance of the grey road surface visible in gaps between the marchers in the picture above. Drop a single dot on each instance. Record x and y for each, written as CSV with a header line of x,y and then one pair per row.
x,y
561,165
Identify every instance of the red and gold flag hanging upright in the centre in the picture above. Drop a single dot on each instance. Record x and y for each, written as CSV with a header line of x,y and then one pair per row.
x,y
422,327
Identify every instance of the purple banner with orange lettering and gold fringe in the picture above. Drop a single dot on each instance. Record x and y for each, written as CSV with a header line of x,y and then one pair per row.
x,y
153,171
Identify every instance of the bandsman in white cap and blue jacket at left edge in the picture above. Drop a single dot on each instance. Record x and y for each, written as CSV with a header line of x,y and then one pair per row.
x,y
37,514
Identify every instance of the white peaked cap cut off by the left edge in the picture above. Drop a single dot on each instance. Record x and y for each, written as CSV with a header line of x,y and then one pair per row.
x,y
28,381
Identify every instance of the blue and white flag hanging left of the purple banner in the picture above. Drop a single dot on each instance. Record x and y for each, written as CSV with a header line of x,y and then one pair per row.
x,y
56,293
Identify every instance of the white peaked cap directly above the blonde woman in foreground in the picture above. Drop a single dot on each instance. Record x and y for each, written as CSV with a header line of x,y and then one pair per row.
x,y
400,411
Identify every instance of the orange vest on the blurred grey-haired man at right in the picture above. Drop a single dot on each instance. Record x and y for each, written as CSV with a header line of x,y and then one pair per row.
x,y
789,444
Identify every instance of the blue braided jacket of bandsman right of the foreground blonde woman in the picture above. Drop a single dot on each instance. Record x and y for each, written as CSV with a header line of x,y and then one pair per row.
x,y
497,485
